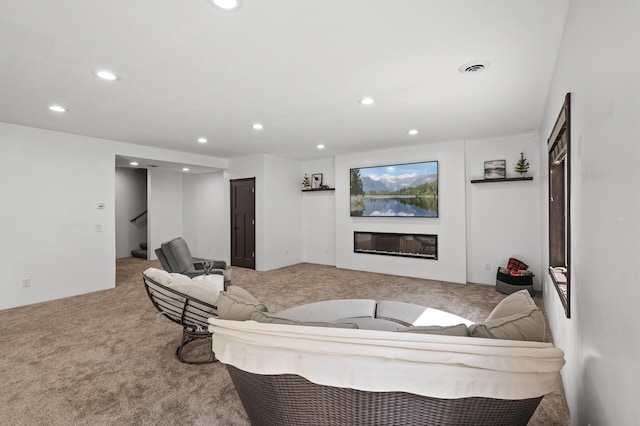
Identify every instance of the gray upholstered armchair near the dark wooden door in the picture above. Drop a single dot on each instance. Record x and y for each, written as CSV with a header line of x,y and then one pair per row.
x,y
175,256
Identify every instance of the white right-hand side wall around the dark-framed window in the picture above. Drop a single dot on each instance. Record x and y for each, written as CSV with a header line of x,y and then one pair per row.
x,y
598,64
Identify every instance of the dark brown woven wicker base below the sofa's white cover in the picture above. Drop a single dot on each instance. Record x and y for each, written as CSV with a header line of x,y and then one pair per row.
x,y
289,399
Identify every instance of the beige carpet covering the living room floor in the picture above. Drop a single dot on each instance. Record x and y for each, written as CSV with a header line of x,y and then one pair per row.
x,y
107,358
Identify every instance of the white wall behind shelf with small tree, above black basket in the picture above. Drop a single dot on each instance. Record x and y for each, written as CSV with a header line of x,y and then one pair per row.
x,y
503,219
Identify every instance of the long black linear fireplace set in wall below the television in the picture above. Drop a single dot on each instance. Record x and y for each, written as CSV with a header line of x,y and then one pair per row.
x,y
423,246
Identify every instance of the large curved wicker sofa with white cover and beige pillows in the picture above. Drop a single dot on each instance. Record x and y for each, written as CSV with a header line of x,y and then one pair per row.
x,y
381,362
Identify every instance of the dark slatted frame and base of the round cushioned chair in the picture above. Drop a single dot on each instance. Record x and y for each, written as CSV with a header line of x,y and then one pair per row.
x,y
192,314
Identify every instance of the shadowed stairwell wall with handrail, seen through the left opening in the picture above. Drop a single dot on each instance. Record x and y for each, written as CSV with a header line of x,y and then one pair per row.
x,y
130,201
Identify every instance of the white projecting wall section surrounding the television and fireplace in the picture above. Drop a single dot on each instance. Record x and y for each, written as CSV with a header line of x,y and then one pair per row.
x,y
450,225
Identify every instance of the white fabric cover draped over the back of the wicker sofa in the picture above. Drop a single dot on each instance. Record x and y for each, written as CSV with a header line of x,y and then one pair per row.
x,y
383,361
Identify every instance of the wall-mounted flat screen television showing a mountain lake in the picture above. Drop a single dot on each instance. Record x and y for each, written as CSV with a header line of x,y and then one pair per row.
x,y
397,190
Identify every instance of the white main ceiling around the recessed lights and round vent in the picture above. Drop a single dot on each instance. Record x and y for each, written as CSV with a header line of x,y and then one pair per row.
x,y
299,67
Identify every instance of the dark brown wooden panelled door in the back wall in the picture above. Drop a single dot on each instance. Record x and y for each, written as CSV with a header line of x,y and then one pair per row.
x,y
243,223
